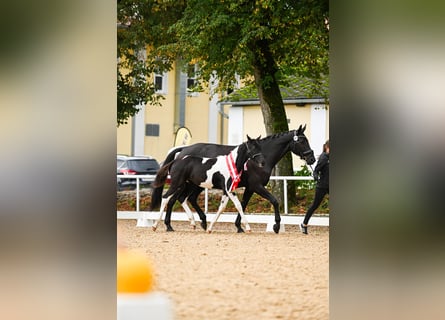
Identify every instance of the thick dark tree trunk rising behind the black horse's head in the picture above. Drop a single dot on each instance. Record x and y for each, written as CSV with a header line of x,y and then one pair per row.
x,y
274,114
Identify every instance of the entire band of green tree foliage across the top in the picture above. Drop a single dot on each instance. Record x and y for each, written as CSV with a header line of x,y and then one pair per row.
x,y
229,37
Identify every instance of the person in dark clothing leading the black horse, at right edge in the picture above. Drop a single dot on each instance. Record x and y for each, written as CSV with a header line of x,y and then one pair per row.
x,y
321,176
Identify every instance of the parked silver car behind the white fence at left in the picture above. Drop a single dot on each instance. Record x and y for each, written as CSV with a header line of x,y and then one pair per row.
x,y
135,165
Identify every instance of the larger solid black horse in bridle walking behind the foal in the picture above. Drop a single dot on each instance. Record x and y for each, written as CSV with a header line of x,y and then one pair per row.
x,y
274,148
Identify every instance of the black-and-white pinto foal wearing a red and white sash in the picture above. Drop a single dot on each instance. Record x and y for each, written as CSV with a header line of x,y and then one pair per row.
x,y
222,172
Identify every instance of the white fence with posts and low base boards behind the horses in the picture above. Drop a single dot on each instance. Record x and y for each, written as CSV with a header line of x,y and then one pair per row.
x,y
181,216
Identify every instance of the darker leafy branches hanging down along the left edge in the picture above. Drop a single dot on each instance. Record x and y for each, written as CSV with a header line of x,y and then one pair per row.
x,y
141,25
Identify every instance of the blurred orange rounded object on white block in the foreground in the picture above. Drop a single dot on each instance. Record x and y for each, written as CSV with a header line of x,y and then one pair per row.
x,y
134,272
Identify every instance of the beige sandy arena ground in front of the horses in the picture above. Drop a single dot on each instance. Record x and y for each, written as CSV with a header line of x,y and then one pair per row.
x,y
225,275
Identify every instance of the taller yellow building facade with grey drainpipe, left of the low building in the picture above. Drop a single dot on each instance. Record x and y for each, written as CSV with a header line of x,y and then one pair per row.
x,y
152,131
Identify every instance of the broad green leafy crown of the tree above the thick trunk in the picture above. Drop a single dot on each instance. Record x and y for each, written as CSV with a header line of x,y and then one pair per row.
x,y
227,35
